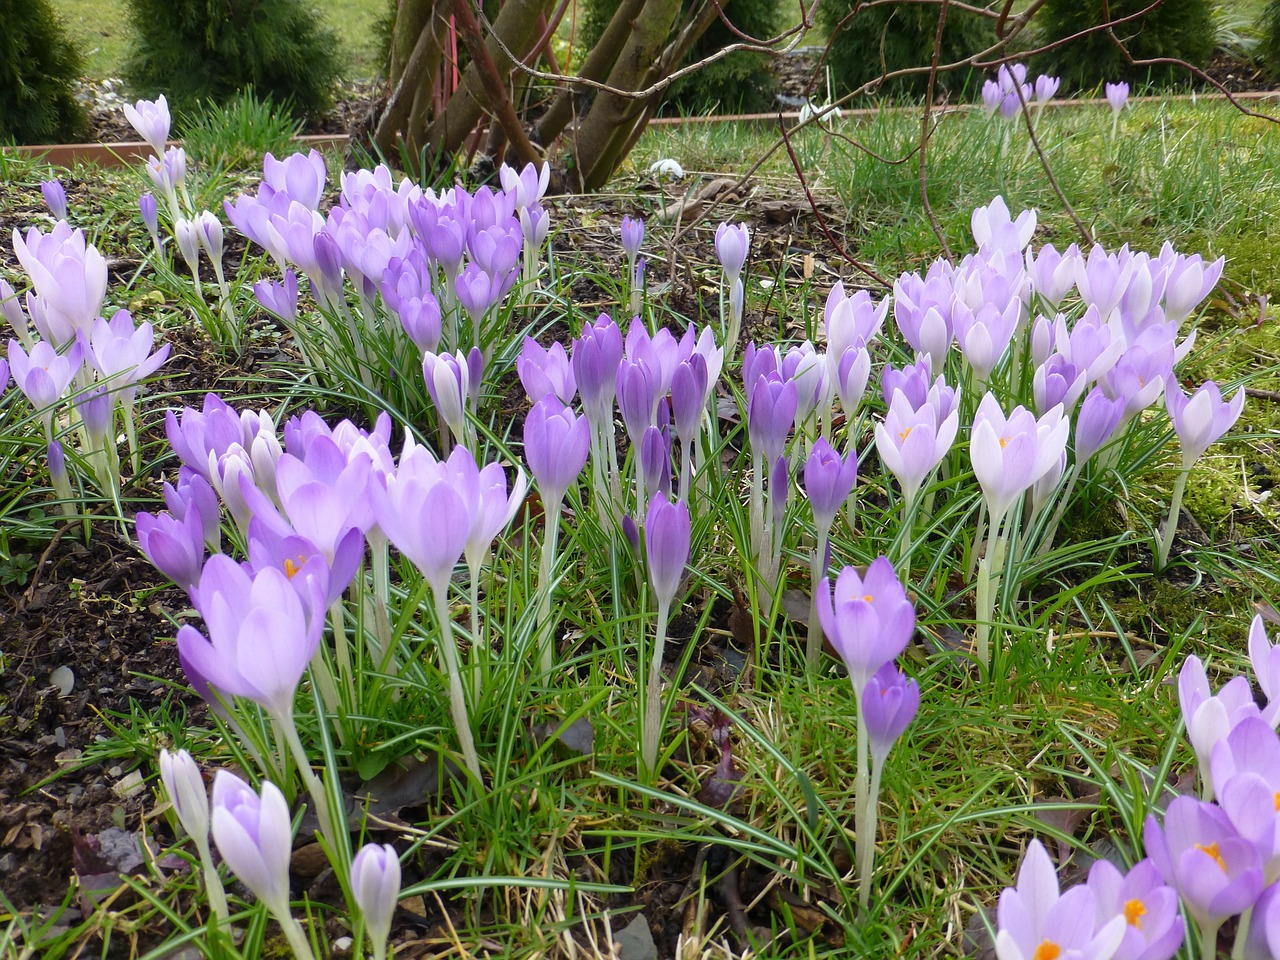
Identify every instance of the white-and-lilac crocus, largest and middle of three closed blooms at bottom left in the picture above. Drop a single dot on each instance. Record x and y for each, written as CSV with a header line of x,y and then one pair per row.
x,y
255,836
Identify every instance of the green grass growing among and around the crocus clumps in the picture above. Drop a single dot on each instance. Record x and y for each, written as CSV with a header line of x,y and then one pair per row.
x,y
1084,716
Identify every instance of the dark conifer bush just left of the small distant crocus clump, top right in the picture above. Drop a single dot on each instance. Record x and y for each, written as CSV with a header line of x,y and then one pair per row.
x,y
880,40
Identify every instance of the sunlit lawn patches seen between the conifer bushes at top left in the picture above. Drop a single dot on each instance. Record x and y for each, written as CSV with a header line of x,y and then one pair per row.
x,y
102,31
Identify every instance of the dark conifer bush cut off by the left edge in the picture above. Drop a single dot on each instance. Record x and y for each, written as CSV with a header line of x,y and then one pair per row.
x,y
38,68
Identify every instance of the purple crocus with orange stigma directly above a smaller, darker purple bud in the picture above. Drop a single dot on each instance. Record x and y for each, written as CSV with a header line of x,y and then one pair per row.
x,y
870,621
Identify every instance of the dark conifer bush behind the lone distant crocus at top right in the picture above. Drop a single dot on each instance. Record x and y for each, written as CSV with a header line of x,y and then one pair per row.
x,y
1178,29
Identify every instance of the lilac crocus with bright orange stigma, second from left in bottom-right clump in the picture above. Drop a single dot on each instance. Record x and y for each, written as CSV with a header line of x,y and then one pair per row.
x,y
1154,929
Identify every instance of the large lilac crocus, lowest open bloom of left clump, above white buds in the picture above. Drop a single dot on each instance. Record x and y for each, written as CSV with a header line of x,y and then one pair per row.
x,y
260,637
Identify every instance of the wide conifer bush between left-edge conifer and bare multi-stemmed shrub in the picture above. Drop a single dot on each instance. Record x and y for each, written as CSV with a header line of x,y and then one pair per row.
x,y
211,51
